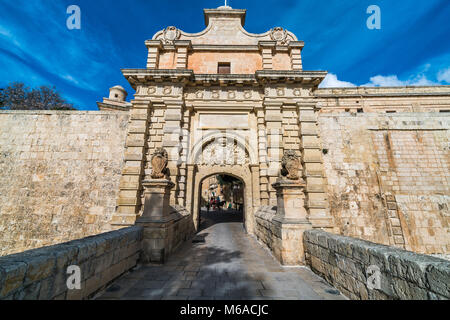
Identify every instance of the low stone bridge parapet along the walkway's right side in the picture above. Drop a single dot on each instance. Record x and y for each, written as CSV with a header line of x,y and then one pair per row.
x,y
344,262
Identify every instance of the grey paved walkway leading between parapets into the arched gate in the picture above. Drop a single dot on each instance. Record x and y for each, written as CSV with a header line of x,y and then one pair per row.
x,y
229,265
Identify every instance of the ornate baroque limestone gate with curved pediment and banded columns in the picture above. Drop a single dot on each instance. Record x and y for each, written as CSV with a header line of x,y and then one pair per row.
x,y
223,101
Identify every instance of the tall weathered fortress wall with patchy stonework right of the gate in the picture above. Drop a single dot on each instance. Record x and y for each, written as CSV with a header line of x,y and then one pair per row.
x,y
388,177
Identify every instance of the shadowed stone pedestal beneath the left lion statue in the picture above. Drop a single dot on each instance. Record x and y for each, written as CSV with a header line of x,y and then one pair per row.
x,y
156,220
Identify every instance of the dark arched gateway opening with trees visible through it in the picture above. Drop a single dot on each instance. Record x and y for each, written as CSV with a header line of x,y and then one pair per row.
x,y
221,200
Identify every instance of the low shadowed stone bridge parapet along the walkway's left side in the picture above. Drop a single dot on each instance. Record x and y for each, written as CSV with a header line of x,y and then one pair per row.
x,y
42,273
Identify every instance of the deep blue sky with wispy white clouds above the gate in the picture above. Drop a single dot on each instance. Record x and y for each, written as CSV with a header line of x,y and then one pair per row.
x,y
411,48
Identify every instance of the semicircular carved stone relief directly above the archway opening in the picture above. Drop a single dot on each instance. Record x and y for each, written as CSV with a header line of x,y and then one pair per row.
x,y
223,152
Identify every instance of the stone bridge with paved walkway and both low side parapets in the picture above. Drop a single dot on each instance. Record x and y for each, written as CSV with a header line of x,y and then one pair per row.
x,y
222,262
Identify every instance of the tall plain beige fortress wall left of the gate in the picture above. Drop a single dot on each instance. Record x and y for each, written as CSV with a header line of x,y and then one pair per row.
x,y
59,175
